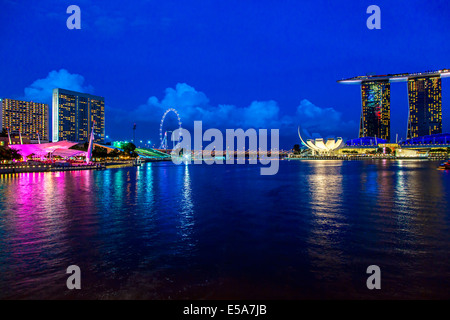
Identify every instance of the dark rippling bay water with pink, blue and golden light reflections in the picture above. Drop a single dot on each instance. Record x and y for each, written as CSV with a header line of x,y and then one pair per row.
x,y
163,231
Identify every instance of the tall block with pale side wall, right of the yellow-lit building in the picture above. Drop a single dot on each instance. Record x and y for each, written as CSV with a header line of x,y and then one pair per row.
x,y
74,114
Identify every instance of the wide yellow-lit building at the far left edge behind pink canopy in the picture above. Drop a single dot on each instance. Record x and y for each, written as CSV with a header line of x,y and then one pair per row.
x,y
25,118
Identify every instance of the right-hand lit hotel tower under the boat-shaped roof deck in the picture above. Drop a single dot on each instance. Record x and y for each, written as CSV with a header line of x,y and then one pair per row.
x,y
425,106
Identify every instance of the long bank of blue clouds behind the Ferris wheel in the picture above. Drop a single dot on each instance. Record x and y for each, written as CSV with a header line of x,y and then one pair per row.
x,y
195,105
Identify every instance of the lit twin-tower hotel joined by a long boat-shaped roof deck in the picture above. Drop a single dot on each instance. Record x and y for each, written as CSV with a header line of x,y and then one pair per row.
x,y
424,97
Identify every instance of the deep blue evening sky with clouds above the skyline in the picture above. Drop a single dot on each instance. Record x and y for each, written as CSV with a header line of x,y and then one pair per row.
x,y
268,64
